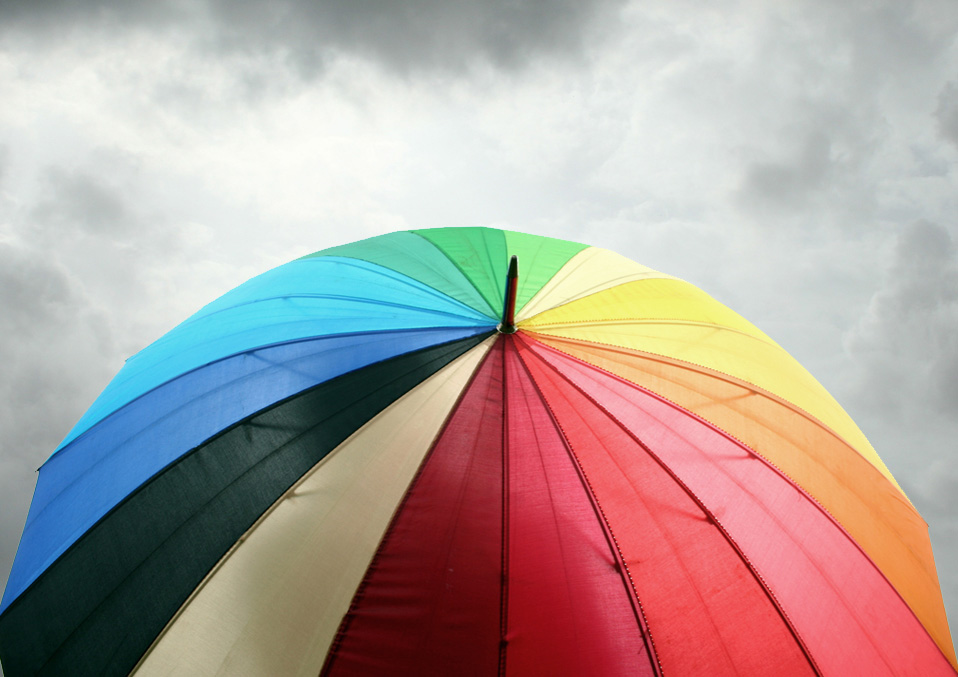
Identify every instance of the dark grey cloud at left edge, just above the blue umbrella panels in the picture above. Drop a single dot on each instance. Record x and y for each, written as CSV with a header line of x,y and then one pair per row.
x,y
52,345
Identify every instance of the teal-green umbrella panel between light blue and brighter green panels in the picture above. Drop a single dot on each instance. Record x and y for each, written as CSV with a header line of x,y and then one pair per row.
x,y
416,257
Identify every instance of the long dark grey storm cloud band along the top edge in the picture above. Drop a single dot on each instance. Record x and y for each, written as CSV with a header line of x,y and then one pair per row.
x,y
435,35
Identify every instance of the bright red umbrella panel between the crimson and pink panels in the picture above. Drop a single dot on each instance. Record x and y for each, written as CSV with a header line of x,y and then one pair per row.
x,y
707,613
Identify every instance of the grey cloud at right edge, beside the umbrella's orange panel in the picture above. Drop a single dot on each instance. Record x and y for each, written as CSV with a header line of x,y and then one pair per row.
x,y
903,386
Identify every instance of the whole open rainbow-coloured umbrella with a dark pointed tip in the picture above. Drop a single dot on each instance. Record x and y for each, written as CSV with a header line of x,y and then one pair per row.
x,y
399,456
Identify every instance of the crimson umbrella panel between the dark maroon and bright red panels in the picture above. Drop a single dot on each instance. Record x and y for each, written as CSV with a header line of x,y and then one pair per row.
x,y
569,609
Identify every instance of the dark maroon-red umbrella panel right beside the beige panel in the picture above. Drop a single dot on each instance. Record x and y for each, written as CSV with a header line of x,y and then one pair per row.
x,y
430,603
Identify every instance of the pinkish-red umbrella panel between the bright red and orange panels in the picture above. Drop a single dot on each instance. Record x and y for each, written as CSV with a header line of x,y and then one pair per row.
x,y
849,617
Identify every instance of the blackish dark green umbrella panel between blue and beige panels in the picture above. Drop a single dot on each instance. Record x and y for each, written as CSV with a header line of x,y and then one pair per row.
x,y
99,607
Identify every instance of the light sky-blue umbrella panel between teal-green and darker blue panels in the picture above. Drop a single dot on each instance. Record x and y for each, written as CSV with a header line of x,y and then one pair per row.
x,y
303,299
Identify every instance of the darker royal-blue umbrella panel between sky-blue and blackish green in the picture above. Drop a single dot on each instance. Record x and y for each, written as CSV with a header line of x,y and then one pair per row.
x,y
98,469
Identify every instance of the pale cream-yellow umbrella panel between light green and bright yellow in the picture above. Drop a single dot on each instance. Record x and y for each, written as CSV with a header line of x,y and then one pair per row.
x,y
591,270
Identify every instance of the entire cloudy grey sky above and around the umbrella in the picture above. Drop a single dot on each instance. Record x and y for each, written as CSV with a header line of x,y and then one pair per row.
x,y
798,161
